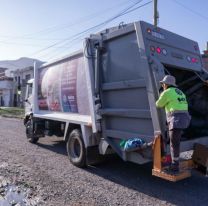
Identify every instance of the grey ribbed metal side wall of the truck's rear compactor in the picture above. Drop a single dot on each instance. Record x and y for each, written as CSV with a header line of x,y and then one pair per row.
x,y
126,109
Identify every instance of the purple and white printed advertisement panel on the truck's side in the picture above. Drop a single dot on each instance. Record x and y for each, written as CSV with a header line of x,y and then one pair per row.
x,y
62,88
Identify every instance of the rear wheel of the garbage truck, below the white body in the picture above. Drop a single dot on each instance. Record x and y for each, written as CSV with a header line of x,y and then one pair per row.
x,y
76,149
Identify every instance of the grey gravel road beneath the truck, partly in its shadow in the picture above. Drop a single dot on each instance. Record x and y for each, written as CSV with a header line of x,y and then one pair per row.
x,y
43,174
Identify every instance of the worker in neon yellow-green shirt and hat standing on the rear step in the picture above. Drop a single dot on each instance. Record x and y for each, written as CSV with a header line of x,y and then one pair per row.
x,y
176,107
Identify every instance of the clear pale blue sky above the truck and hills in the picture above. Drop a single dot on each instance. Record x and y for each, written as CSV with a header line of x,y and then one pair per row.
x,y
50,29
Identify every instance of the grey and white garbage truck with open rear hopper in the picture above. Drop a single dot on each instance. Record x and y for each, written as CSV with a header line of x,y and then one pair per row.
x,y
104,94
